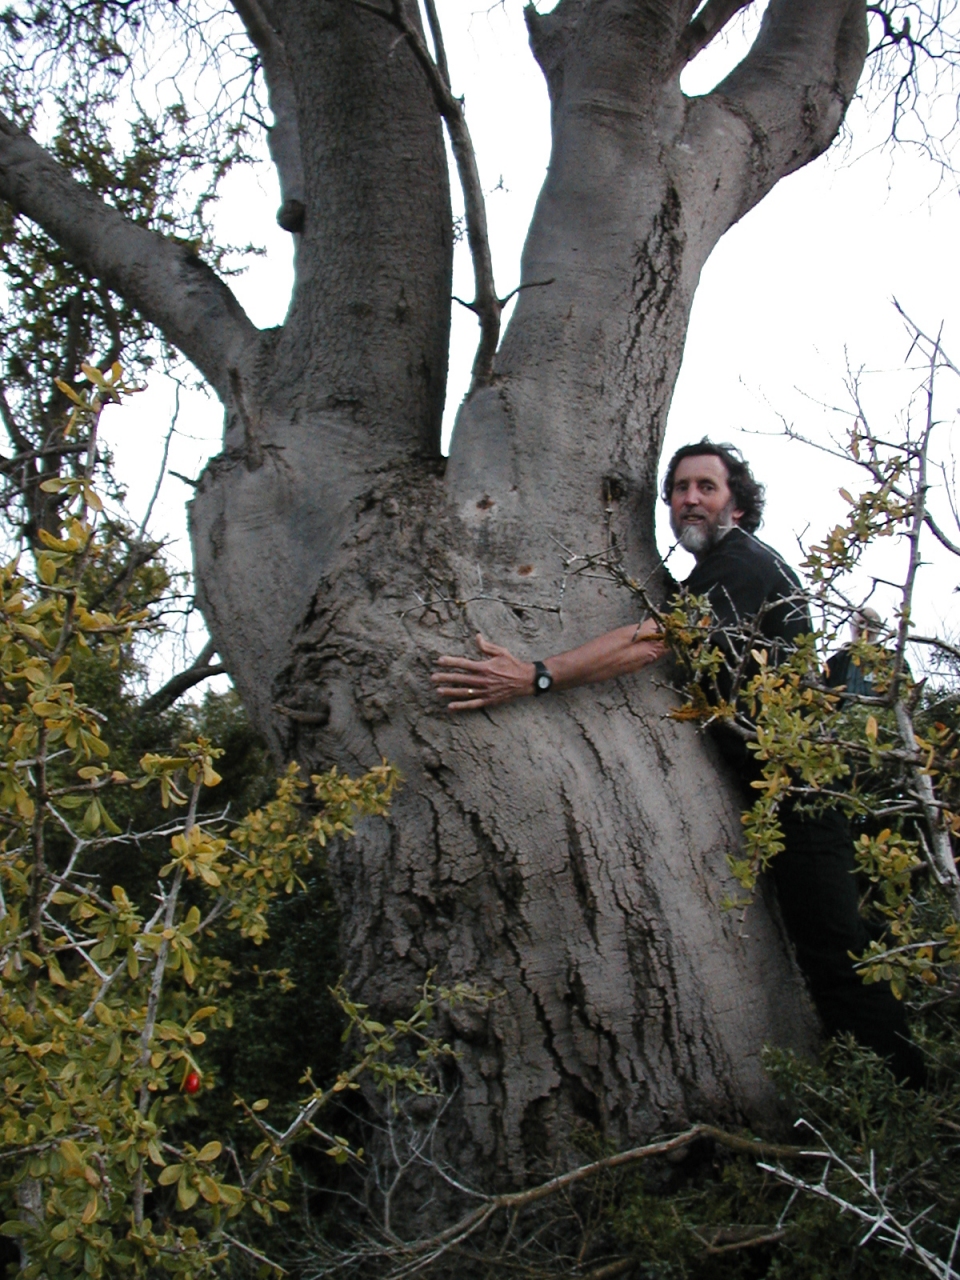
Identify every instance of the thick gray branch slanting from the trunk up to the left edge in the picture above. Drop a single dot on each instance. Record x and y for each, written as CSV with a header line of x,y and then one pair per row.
x,y
164,281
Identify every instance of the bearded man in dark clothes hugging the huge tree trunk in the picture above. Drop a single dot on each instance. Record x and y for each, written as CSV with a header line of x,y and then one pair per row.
x,y
716,508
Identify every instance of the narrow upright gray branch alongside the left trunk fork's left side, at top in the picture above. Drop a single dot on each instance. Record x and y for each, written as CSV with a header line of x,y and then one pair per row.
x,y
284,136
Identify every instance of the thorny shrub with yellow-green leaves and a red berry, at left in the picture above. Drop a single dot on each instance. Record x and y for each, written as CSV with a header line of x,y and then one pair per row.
x,y
107,1000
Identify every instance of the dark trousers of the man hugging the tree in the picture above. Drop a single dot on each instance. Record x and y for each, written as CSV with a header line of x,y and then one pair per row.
x,y
819,900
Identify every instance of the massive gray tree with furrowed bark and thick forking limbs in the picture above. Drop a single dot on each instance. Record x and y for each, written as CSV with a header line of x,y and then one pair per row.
x,y
569,853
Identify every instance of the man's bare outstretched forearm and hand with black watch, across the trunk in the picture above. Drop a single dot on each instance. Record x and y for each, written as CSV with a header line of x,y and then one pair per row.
x,y
500,678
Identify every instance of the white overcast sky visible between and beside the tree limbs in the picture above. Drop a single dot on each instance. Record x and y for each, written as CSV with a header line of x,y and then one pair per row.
x,y
798,291
